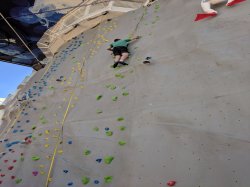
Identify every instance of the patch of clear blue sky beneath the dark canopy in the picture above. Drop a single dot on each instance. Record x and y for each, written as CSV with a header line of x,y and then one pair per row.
x,y
11,76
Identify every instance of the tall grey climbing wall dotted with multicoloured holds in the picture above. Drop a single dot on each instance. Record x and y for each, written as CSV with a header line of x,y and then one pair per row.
x,y
184,117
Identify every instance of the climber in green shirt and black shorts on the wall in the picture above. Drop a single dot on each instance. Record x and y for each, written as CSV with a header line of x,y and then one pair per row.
x,y
120,50
